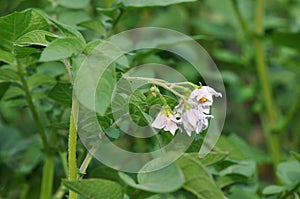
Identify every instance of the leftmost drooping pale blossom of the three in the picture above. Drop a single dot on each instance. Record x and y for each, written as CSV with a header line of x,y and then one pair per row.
x,y
168,122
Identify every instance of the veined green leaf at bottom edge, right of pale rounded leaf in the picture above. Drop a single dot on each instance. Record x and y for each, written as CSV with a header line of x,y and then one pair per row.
x,y
198,180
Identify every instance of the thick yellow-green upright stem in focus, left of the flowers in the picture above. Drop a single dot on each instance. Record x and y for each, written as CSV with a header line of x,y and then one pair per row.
x,y
72,145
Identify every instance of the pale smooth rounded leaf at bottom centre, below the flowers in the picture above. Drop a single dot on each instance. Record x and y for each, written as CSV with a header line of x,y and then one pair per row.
x,y
171,177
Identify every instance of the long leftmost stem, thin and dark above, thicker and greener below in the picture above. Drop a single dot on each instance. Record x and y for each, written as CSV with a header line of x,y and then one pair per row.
x,y
48,170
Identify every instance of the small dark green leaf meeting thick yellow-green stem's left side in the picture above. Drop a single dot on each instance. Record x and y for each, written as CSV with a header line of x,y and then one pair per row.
x,y
62,92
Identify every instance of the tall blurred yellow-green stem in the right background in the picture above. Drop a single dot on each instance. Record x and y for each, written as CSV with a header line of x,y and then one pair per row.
x,y
271,139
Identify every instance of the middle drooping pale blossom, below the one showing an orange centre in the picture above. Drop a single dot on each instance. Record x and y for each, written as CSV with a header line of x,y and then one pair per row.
x,y
195,120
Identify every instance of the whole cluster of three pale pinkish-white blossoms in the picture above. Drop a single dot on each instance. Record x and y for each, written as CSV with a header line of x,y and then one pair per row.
x,y
192,114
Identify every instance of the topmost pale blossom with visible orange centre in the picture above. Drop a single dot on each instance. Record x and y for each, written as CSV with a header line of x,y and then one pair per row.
x,y
203,97
